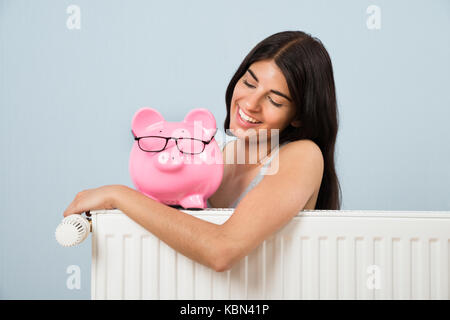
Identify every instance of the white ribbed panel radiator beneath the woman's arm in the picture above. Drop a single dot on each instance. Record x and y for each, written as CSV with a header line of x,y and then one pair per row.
x,y
318,255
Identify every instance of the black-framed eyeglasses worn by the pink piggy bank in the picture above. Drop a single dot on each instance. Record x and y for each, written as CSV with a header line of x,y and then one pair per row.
x,y
158,143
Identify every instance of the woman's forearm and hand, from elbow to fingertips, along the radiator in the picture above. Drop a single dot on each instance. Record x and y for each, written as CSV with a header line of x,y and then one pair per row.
x,y
195,238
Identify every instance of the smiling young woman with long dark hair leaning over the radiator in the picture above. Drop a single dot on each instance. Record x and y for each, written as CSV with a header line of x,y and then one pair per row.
x,y
284,85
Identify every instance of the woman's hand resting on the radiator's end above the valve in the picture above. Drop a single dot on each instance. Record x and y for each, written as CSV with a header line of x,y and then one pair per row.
x,y
94,199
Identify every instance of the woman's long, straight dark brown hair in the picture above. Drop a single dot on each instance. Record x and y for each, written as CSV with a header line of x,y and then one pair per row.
x,y
306,65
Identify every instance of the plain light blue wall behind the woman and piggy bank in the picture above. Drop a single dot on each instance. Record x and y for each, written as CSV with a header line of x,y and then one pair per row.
x,y
67,98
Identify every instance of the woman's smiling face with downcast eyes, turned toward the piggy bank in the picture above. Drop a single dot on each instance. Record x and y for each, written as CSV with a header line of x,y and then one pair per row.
x,y
262,95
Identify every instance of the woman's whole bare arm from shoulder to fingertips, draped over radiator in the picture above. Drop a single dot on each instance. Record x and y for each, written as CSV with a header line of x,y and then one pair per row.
x,y
264,210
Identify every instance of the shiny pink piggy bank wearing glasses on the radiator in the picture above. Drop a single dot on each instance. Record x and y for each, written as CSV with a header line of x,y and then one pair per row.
x,y
176,163
